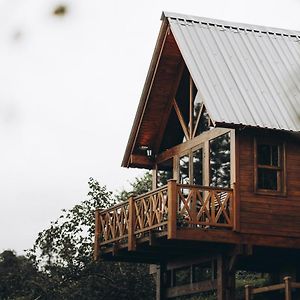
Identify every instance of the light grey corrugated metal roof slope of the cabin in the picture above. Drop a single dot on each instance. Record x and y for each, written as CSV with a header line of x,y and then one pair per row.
x,y
246,74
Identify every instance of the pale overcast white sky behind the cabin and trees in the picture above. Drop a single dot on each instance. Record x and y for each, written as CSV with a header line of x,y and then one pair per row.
x,y
69,90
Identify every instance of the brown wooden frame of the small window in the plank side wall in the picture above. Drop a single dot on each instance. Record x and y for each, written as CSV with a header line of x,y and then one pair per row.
x,y
281,169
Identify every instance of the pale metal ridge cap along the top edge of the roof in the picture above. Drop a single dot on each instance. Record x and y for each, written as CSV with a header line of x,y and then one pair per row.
x,y
230,24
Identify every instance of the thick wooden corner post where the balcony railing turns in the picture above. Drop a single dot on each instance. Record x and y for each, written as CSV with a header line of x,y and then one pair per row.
x,y
172,209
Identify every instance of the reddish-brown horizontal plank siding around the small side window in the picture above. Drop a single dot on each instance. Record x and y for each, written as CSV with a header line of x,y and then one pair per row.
x,y
267,214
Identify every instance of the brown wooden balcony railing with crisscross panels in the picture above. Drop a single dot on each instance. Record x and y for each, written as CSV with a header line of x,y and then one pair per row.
x,y
166,209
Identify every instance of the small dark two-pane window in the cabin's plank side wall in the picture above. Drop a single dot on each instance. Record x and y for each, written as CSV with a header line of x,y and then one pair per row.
x,y
269,167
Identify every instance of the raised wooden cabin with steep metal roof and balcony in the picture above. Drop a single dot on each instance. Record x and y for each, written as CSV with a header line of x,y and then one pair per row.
x,y
218,124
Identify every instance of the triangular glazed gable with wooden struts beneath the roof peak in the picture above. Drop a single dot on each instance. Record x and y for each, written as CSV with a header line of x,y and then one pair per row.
x,y
188,117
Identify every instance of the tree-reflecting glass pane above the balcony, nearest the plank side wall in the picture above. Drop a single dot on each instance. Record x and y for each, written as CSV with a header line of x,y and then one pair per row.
x,y
220,161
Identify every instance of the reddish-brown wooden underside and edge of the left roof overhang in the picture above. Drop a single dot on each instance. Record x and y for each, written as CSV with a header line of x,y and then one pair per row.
x,y
155,99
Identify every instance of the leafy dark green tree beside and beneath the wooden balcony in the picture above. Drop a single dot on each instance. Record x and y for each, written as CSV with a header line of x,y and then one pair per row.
x,y
64,252
